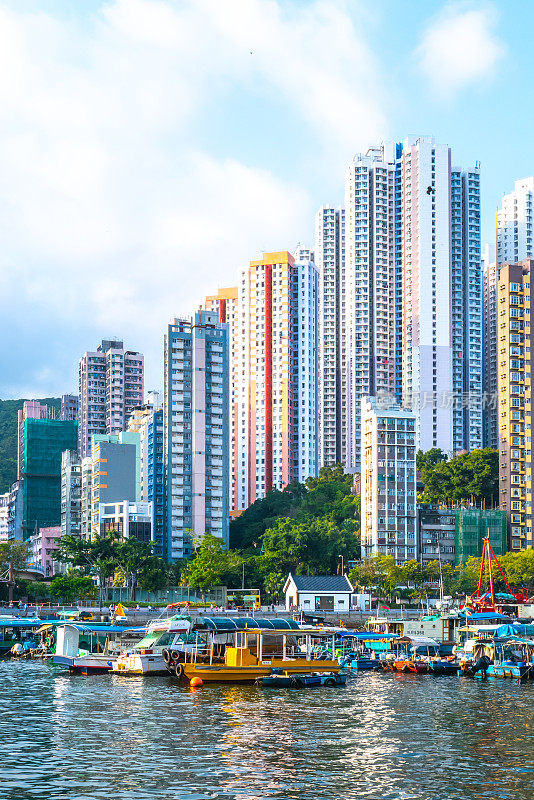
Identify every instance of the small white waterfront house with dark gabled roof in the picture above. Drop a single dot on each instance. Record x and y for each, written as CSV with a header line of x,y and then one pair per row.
x,y
318,593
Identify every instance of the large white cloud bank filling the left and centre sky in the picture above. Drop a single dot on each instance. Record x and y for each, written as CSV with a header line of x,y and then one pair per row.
x,y
112,215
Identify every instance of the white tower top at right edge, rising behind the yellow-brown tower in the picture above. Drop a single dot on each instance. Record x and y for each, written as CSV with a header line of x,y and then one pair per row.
x,y
515,219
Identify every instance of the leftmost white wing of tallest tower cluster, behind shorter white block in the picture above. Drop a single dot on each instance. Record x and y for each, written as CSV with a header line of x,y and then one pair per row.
x,y
369,315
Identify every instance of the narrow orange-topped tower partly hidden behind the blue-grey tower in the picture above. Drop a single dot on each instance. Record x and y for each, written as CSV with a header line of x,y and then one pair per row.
x,y
226,305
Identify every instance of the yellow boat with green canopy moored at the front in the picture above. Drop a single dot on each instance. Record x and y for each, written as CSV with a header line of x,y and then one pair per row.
x,y
247,652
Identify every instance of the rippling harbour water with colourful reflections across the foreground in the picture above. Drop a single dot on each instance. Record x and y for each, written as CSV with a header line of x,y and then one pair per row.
x,y
384,737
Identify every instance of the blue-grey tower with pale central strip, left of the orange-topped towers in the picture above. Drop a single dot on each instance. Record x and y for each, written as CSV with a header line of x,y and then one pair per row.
x,y
195,431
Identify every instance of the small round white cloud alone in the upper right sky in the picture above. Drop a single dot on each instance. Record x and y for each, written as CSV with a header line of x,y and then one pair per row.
x,y
460,47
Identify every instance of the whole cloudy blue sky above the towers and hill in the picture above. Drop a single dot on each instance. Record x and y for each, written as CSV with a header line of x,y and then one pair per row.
x,y
150,148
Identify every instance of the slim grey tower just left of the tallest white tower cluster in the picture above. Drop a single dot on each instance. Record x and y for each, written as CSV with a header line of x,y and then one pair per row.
x,y
330,259
